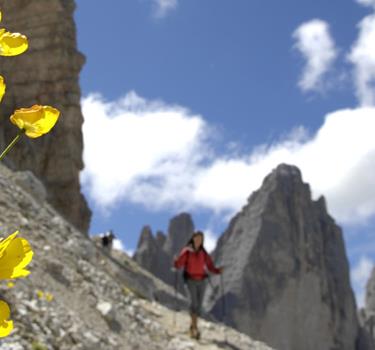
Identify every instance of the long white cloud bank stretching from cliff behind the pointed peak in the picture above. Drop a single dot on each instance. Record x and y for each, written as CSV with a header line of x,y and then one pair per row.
x,y
161,156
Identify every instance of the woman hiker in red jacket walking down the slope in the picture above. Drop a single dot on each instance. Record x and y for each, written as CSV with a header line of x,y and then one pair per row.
x,y
195,260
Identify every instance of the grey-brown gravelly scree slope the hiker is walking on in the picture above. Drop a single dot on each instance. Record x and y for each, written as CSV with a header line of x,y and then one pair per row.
x,y
78,298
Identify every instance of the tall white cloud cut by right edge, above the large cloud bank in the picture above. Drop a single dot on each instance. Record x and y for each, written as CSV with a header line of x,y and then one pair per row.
x,y
362,56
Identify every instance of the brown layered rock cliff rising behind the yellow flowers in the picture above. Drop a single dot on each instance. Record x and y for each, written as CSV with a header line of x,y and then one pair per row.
x,y
47,73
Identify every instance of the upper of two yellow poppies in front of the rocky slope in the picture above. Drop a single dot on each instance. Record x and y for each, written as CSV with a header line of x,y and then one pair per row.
x,y
15,255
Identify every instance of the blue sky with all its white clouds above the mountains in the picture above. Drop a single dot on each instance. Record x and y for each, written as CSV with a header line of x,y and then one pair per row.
x,y
194,102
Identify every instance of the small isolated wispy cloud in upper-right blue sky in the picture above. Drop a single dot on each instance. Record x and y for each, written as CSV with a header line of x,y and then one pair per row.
x,y
315,43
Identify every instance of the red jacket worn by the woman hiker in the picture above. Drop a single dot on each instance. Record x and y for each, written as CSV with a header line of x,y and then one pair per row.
x,y
197,262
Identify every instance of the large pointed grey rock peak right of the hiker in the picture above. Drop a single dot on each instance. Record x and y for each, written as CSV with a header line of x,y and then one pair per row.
x,y
287,277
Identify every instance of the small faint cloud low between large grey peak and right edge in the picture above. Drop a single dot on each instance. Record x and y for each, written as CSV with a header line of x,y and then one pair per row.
x,y
360,274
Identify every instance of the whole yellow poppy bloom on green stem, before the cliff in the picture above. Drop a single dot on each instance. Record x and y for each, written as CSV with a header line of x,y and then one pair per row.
x,y
36,120
